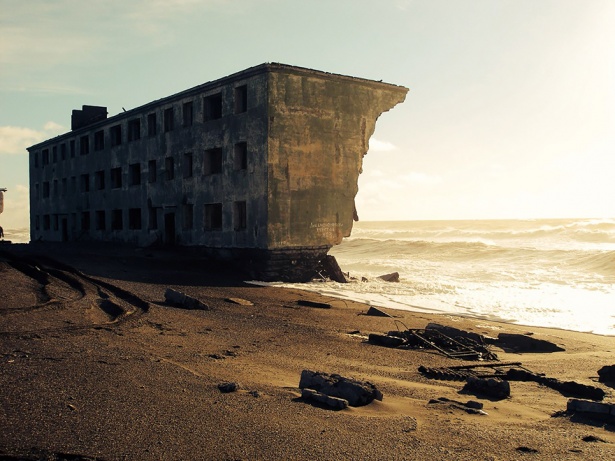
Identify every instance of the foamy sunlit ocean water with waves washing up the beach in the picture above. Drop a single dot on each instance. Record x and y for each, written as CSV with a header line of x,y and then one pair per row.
x,y
552,273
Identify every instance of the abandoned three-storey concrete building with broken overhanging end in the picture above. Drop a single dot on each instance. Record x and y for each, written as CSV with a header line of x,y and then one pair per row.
x,y
261,166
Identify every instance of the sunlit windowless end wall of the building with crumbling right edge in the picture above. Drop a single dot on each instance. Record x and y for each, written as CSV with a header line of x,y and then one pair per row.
x,y
319,130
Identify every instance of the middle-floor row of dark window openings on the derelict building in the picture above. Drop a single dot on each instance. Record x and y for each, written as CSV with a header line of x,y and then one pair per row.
x,y
212,165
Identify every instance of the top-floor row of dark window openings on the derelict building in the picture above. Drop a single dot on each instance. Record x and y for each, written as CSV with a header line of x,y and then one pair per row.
x,y
212,111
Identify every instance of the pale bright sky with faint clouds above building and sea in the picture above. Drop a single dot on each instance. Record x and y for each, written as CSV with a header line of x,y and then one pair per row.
x,y
510,114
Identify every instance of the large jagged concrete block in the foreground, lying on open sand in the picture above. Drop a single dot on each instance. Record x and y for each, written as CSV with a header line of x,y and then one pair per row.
x,y
357,393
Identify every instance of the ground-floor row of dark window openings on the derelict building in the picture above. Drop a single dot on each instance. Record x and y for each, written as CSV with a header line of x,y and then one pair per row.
x,y
212,218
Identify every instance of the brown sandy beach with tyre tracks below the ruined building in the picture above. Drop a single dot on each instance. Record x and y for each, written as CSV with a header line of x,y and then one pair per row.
x,y
95,365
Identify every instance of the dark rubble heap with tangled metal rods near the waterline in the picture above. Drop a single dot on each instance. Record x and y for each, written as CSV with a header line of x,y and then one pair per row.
x,y
459,347
